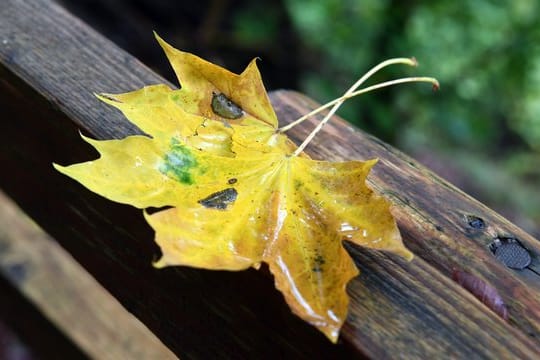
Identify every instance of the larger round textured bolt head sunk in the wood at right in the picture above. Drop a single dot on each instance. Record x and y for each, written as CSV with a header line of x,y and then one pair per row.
x,y
510,252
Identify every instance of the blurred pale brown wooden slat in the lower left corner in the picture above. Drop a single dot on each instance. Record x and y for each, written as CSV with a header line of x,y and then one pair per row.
x,y
63,291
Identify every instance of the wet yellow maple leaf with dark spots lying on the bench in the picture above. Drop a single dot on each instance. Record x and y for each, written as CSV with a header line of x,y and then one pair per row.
x,y
239,191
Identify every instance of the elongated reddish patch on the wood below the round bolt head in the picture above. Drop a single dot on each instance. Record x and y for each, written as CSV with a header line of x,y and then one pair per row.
x,y
484,292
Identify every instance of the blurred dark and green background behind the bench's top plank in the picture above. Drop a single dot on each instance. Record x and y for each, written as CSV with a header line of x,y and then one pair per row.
x,y
481,131
